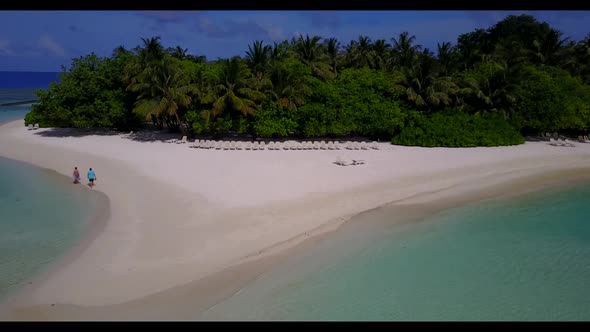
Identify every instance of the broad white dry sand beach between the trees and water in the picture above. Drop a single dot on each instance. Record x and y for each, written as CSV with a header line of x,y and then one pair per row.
x,y
178,214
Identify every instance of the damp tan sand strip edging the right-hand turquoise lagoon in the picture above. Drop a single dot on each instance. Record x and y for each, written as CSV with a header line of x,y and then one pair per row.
x,y
185,302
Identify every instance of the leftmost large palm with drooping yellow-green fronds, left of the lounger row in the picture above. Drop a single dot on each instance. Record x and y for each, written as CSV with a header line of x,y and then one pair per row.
x,y
163,90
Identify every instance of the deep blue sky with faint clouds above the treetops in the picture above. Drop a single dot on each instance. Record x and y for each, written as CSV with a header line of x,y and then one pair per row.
x,y
45,40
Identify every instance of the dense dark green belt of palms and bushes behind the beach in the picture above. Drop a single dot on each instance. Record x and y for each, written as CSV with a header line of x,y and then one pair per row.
x,y
492,87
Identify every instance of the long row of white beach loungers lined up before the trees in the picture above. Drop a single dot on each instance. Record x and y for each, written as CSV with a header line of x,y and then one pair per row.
x,y
290,145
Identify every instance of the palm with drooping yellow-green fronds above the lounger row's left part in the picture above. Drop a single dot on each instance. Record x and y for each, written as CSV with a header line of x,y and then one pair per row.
x,y
233,89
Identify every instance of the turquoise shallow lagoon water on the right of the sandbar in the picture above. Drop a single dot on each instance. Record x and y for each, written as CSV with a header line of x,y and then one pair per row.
x,y
517,259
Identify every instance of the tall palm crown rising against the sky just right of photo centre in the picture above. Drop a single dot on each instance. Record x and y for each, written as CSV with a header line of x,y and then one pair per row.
x,y
310,52
